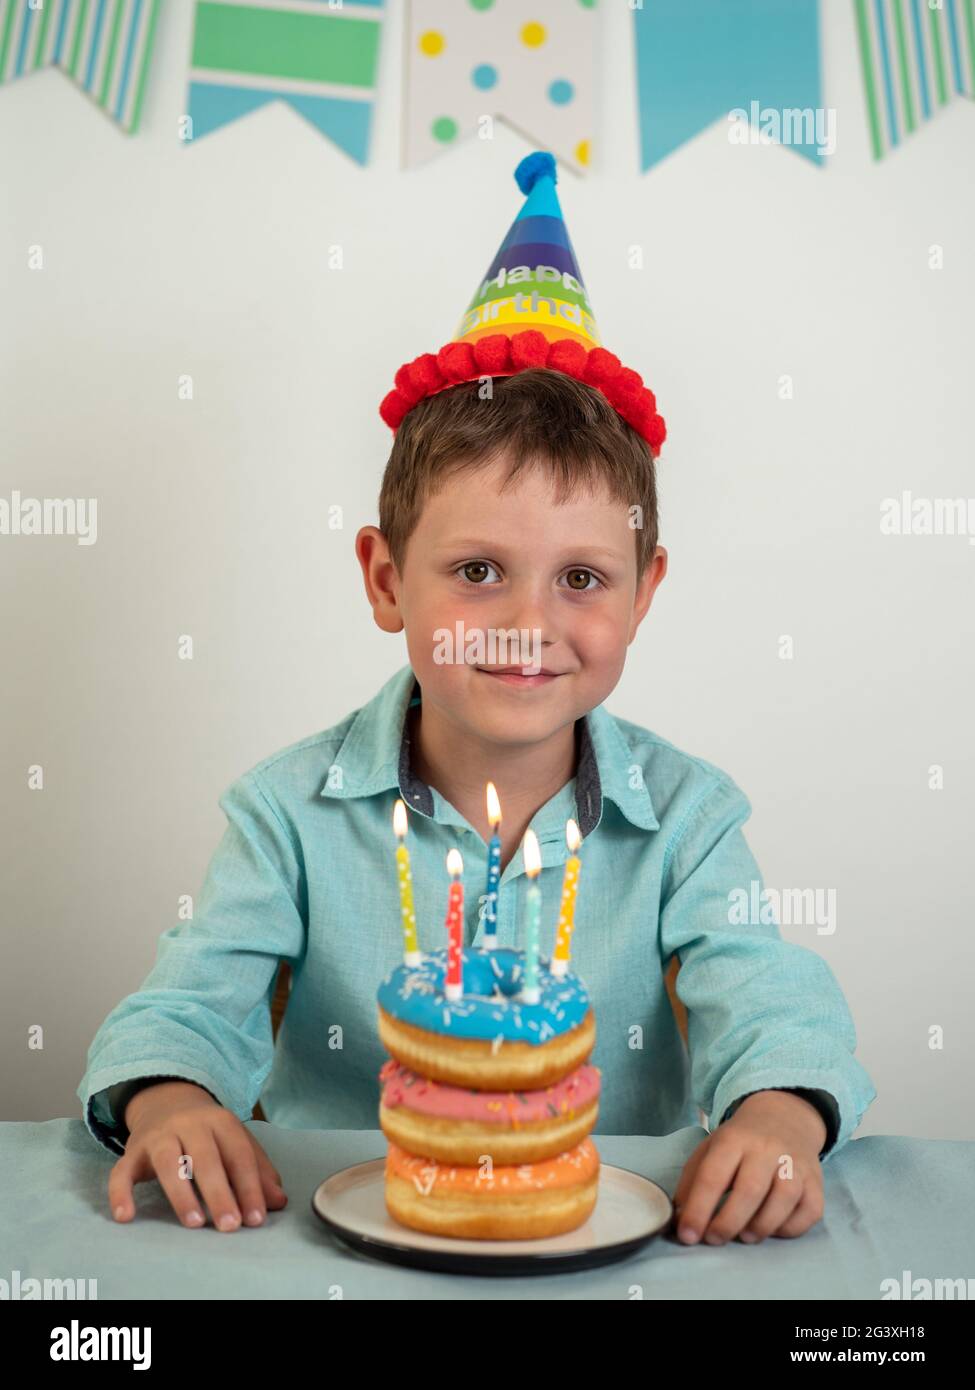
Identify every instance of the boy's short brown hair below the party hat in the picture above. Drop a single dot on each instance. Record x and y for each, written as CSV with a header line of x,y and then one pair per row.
x,y
538,418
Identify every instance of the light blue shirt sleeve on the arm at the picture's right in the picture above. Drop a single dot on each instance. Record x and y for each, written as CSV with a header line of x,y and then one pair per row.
x,y
763,1014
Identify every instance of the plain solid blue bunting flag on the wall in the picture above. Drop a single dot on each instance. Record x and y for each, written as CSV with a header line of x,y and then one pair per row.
x,y
700,62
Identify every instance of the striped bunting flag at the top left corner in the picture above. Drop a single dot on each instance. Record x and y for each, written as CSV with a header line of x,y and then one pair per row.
x,y
104,45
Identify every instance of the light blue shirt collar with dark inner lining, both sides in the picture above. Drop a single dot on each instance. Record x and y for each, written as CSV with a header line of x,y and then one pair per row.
x,y
375,757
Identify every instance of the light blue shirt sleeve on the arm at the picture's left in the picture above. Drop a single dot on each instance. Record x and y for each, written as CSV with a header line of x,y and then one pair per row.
x,y
202,1014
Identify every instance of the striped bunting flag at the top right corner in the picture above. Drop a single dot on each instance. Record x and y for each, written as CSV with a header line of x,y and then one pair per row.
x,y
916,56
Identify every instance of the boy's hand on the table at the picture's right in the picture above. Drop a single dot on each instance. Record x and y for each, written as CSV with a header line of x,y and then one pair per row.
x,y
748,1159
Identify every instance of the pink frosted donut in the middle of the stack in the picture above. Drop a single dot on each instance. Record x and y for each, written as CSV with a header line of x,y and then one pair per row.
x,y
457,1125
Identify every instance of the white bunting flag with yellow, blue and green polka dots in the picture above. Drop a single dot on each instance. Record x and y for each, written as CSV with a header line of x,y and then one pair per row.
x,y
532,66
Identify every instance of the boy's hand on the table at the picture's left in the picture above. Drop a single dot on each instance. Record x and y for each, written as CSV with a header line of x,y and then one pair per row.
x,y
230,1170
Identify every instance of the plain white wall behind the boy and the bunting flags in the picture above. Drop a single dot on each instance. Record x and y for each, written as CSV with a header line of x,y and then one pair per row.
x,y
212,261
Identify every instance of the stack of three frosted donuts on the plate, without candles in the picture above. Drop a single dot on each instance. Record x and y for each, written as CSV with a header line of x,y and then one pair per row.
x,y
489,1102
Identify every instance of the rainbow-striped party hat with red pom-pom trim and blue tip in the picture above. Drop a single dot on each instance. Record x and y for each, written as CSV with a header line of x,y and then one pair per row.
x,y
531,311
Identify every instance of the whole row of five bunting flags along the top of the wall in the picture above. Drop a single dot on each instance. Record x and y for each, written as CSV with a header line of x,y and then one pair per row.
x,y
755,65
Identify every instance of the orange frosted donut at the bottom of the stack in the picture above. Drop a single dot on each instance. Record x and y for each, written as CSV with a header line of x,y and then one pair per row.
x,y
493,1203
